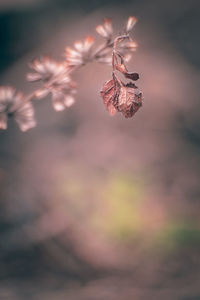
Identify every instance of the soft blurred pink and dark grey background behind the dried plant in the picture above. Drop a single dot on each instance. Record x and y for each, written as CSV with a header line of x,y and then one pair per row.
x,y
99,207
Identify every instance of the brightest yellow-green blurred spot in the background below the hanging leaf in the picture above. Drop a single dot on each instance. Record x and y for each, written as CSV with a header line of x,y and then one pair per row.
x,y
122,198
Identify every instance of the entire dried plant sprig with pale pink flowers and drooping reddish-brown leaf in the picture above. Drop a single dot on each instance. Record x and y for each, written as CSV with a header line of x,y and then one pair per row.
x,y
56,78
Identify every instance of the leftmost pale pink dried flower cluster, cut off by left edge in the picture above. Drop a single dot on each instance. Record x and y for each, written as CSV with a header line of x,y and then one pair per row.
x,y
14,104
